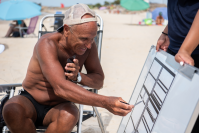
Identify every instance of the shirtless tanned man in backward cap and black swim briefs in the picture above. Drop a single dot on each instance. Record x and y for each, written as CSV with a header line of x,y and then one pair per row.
x,y
49,93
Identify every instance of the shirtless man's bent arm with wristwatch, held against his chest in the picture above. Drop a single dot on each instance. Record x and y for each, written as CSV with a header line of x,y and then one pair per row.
x,y
94,77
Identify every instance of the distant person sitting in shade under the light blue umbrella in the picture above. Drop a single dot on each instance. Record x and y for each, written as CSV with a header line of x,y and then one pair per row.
x,y
14,31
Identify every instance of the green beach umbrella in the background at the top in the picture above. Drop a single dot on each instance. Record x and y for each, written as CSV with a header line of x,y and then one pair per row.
x,y
134,5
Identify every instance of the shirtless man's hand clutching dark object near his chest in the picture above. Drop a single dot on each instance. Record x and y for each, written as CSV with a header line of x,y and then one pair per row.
x,y
74,68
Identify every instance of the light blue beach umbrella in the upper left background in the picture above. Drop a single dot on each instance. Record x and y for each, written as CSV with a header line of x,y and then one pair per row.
x,y
18,10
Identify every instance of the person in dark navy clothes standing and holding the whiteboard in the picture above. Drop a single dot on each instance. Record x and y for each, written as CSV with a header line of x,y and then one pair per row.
x,y
180,37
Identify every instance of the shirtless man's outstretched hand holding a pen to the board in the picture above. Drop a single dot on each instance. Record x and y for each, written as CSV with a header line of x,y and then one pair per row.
x,y
116,107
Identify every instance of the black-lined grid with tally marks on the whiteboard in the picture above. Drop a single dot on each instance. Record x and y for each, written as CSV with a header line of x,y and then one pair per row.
x,y
153,93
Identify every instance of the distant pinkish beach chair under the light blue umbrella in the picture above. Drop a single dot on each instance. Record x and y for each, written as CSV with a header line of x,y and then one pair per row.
x,y
30,29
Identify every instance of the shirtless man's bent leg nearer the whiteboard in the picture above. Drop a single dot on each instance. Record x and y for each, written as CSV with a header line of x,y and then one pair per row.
x,y
61,118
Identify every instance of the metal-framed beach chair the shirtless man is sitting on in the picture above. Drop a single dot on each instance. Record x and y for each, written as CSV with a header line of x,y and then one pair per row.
x,y
83,114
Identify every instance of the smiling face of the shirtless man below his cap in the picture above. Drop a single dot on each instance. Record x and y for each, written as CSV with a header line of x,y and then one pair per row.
x,y
81,37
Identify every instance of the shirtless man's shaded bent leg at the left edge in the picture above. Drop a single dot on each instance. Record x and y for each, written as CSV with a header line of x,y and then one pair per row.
x,y
19,115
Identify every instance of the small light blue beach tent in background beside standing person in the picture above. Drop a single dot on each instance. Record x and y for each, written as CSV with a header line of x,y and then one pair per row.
x,y
156,11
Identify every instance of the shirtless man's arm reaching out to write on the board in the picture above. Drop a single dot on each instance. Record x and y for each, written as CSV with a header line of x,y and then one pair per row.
x,y
52,70
